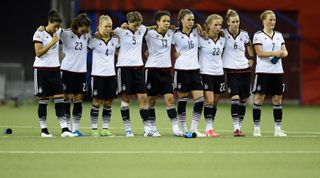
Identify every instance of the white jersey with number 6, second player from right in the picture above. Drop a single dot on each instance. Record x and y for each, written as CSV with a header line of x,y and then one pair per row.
x,y
234,56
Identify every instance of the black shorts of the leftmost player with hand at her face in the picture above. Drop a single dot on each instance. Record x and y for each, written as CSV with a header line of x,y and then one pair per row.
x,y
47,82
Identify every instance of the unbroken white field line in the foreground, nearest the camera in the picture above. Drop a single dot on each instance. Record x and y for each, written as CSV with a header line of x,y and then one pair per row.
x,y
157,152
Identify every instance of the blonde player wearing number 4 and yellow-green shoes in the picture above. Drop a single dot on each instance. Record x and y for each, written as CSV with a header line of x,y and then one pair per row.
x,y
104,81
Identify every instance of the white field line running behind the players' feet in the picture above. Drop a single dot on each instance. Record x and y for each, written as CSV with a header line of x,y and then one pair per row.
x,y
140,128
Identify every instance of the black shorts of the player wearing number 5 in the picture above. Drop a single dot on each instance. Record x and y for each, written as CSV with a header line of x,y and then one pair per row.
x,y
131,80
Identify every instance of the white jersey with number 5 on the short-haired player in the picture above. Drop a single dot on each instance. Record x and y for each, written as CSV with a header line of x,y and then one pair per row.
x,y
131,46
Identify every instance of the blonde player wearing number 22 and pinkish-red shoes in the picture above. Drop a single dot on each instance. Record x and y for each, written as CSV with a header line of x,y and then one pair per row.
x,y
211,70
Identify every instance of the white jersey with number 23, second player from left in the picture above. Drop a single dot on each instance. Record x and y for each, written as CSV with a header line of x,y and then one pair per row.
x,y
75,50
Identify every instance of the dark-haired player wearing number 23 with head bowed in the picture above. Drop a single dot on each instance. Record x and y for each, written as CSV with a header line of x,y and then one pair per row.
x,y
74,67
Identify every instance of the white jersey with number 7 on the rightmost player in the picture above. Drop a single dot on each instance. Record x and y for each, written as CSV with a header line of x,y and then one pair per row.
x,y
264,64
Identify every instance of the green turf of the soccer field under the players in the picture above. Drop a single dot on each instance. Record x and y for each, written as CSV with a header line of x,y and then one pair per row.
x,y
25,154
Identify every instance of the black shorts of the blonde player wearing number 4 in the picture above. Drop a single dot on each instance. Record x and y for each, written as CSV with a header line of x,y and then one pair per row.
x,y
104,87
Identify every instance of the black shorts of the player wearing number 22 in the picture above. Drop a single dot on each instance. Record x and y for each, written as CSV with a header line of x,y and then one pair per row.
x,y
213,83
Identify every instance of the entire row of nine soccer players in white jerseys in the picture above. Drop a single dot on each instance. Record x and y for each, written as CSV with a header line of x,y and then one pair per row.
x,y
202,56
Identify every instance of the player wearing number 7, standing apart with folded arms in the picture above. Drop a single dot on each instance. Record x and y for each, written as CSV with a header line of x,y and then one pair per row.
x,y
270,48
